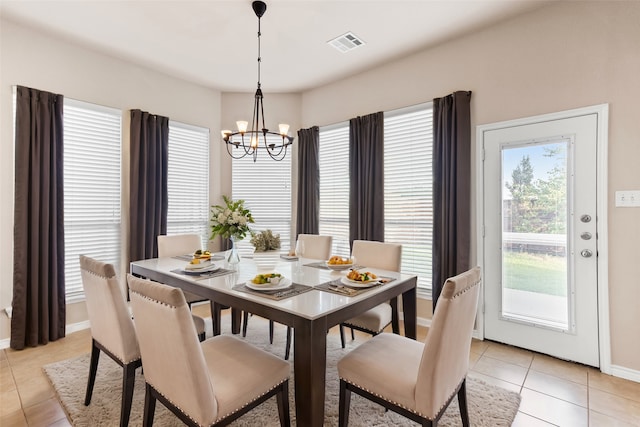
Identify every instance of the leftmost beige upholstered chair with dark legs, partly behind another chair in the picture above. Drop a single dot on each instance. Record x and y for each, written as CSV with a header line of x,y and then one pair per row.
x,y
112,329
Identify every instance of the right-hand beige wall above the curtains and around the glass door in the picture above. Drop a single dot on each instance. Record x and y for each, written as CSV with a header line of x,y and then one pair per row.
x,y
561,57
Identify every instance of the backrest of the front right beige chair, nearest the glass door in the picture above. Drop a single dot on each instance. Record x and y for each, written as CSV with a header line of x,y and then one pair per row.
x,y
445,359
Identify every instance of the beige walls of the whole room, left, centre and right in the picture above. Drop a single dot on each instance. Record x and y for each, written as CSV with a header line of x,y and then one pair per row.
x,y
561,57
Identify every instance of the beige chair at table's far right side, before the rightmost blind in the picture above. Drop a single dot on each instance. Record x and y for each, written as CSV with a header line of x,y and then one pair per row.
x,y
385,256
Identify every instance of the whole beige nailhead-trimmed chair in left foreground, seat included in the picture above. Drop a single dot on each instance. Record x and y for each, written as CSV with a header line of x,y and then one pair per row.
x,y
203,384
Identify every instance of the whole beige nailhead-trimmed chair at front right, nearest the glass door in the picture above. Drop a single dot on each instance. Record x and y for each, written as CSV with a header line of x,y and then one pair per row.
x,y
423,378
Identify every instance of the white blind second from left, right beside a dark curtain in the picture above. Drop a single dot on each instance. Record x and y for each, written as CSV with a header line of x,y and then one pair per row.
x,y
188,180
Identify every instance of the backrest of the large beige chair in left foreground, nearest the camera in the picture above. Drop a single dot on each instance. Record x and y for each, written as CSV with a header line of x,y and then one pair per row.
x,y
172,358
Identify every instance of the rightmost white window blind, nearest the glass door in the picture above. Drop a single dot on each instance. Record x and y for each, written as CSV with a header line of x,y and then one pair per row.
x,y
408,187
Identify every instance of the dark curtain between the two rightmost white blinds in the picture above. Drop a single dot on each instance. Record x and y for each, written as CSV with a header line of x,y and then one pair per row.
x,y
366,178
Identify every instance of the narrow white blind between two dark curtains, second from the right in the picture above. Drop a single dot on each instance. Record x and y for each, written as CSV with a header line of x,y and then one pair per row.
x,y
334,186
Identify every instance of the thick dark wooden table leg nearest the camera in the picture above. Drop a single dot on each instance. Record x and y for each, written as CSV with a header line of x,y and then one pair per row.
x,y
309,364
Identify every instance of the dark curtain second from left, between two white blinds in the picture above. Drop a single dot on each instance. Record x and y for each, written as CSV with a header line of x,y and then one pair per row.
x,y
148,197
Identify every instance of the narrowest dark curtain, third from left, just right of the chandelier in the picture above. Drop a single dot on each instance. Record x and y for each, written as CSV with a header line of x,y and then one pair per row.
x,y
308,217
